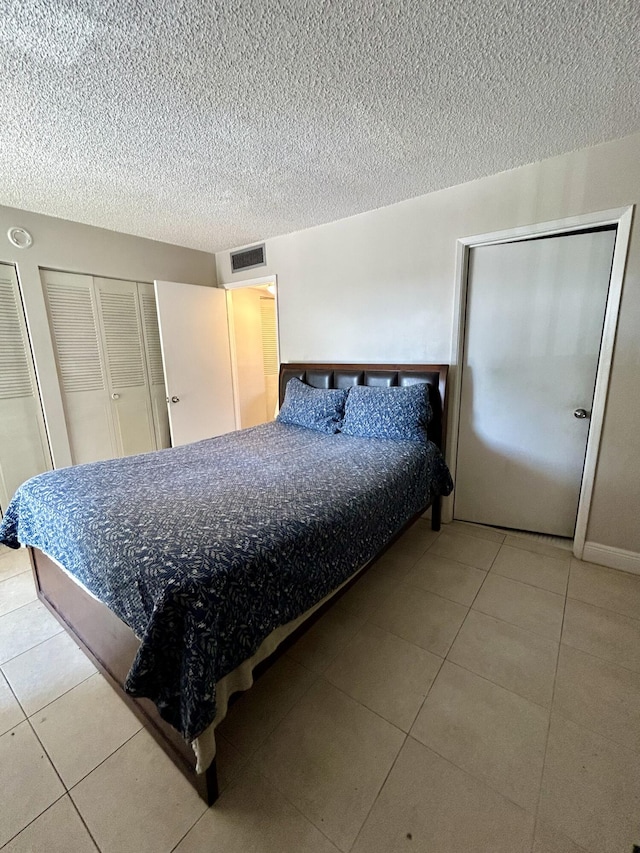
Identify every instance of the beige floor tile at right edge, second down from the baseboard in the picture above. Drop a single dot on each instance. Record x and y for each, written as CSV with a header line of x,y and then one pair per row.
x,y
602,633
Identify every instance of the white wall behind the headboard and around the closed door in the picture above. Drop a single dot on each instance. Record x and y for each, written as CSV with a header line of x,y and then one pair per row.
x,y
380,287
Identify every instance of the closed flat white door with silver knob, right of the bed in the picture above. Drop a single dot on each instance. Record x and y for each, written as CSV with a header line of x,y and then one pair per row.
x,y
535,312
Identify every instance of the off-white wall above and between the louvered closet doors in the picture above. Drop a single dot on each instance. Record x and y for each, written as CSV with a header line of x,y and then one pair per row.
x,y
63,245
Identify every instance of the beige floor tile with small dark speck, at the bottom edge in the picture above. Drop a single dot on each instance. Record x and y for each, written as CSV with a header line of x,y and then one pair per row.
x,y
428,805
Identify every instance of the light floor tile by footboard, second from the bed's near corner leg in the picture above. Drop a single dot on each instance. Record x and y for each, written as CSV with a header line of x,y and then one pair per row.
x,y
83,727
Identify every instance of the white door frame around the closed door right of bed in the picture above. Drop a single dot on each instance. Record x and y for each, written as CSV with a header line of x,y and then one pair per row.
x,y
620,217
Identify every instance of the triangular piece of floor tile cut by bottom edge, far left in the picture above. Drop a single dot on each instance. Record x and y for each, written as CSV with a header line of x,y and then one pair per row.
x,y
58,830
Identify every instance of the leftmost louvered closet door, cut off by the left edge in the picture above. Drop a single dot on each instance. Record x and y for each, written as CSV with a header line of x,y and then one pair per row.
x,y
24,450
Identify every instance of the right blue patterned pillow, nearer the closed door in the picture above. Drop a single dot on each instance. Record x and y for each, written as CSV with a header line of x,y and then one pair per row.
x,y
380,412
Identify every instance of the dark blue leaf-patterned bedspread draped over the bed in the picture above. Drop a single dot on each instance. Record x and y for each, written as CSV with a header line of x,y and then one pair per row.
x,y
203,550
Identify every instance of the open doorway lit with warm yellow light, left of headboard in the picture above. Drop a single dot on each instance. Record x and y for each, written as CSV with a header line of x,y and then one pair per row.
x,y
253,334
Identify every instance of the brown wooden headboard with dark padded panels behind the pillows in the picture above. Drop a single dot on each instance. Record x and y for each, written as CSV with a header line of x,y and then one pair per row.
x,y
347,375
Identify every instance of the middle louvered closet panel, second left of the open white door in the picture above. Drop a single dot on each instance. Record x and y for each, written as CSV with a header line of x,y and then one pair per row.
x,y
126,365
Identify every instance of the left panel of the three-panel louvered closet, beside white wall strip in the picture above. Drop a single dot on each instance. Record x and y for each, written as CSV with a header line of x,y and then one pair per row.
x,y
74,323
